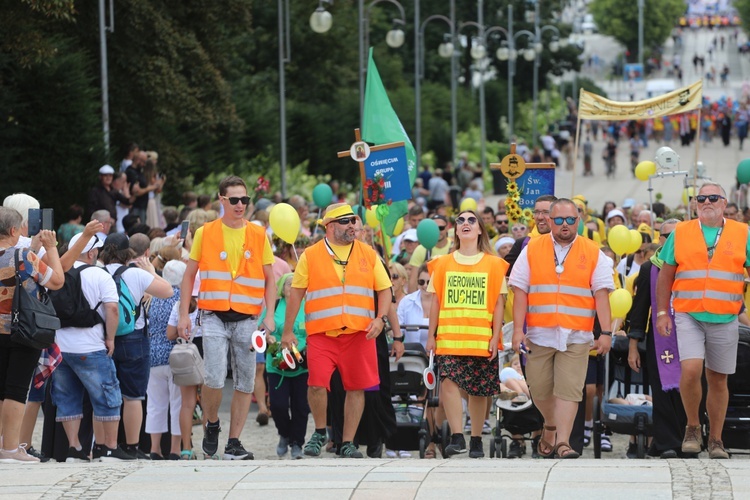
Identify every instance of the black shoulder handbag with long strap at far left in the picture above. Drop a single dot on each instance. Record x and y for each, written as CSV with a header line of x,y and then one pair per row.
x,y
33,321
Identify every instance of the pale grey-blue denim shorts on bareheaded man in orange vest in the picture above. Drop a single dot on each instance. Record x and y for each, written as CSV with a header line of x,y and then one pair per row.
x,y
218,337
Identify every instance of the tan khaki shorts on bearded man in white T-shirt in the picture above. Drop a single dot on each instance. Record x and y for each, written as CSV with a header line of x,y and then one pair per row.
x,y
560,373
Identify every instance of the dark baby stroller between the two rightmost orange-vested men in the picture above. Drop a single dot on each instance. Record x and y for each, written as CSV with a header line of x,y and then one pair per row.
x,y
622,418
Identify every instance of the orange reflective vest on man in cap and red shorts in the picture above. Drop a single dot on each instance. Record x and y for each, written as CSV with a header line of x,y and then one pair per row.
x,y
331,304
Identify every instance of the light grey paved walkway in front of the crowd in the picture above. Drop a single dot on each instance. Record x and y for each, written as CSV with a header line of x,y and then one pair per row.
x,y
332,479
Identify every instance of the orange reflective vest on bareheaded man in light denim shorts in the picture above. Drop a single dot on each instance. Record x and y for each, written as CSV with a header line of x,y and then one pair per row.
x,y
219,291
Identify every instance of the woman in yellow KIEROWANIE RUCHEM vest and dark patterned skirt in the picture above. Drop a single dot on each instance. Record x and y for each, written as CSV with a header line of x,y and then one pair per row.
x,y
466,318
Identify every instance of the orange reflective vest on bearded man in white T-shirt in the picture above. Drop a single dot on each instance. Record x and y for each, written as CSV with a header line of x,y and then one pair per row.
x,y
565,299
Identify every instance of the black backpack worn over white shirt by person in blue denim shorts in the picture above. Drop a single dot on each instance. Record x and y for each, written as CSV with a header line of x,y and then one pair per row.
x,y
71,305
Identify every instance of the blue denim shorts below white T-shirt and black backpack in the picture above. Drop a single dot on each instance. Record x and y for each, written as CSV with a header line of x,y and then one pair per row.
x,y
93,373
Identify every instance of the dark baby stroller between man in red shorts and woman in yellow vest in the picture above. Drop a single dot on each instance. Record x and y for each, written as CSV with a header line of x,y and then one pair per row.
x,y
411,398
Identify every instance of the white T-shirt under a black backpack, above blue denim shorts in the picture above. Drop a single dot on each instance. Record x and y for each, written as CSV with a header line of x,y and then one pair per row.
x,y
97,286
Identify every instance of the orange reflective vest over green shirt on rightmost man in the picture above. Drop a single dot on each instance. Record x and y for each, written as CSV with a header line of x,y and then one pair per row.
x,y
713,286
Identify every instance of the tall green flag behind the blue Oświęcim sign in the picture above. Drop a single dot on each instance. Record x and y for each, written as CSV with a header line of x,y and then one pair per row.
x,y
380,125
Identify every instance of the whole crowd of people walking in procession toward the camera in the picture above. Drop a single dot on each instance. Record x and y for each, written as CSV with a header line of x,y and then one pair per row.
x,y
335,300
